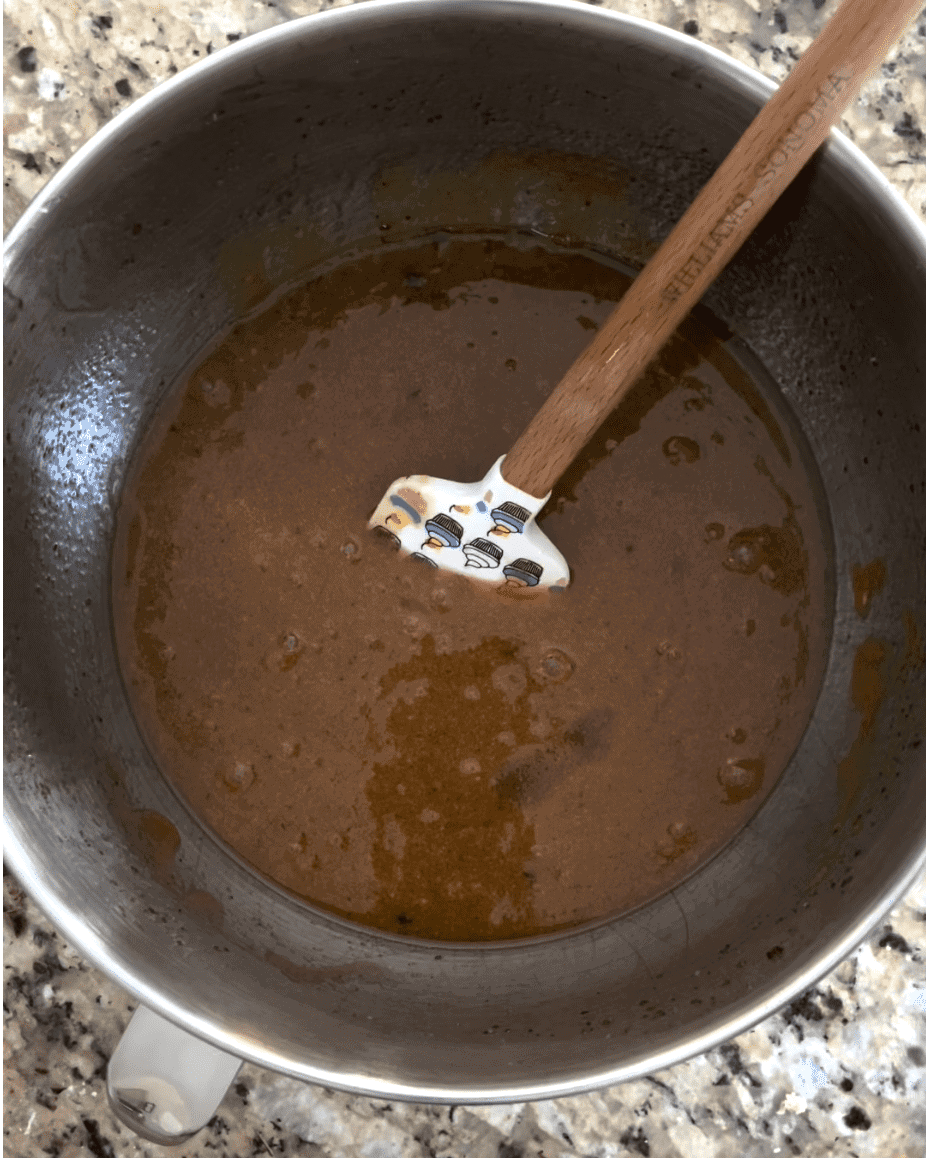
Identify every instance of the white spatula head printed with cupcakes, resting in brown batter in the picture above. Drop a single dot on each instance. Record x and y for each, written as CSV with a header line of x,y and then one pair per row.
x,y
486,531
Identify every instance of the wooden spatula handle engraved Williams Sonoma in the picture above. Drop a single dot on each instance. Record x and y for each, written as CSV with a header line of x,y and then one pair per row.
x,y
762,165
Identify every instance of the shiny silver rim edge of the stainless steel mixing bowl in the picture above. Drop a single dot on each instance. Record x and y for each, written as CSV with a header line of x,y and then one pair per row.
x,y
874,188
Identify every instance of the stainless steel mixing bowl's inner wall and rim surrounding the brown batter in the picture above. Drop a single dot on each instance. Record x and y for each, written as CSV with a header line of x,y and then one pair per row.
x,y
318,140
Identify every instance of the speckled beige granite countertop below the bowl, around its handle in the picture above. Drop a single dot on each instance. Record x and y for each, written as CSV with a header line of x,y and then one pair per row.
x,y
842,1073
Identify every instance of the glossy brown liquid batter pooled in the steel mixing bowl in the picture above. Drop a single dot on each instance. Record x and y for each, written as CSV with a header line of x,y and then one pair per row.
x,y
401,746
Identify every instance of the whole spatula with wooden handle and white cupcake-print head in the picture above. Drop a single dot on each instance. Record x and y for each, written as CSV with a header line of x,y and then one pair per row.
x,y
488,530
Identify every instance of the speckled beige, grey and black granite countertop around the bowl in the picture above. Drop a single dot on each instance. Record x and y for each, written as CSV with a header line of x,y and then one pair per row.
x,y
842,1072
